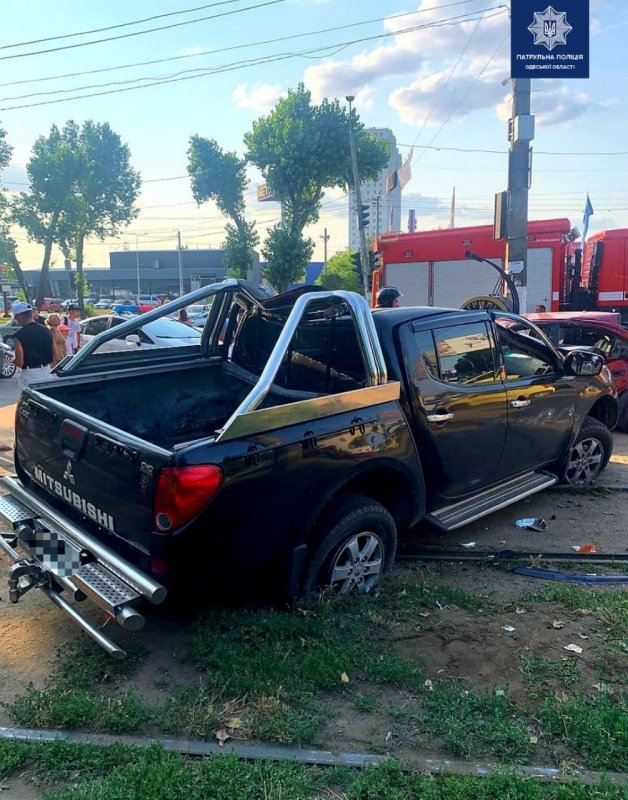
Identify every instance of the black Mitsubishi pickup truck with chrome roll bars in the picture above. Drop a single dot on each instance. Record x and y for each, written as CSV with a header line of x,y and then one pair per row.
x,y
290,444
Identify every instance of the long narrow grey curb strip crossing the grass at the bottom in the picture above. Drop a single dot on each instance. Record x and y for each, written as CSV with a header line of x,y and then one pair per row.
x,y
322,758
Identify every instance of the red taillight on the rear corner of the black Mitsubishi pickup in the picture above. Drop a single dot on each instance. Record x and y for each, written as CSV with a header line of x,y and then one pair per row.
x,y
181,494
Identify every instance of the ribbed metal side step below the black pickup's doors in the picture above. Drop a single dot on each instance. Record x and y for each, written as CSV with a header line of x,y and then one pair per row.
x,y
449,518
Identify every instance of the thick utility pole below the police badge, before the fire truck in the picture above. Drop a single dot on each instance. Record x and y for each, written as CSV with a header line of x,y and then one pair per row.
x,y
520,134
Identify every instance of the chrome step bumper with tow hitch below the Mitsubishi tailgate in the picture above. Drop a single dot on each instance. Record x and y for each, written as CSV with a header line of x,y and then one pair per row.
x,y
53,554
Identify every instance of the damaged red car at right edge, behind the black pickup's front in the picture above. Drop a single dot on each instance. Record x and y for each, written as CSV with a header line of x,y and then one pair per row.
x,y
593,329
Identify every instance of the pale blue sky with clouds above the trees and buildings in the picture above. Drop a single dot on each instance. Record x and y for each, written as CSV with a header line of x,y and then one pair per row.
x,y
437,87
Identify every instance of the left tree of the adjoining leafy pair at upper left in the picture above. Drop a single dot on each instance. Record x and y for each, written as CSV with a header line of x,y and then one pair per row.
x,y
53,169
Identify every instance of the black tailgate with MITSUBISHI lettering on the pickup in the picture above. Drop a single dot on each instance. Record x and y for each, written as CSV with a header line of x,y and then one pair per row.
x,y
102,476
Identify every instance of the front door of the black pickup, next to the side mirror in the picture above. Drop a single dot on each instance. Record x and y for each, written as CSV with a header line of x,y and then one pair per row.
x,y
541,403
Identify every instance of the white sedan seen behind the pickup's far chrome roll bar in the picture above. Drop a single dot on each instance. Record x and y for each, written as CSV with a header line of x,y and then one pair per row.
x,y
160,333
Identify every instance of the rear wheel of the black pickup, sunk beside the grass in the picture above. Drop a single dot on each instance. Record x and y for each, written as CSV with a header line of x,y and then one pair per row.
x,y
357,527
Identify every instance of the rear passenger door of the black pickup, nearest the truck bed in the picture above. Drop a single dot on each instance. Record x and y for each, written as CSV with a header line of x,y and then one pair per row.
x,y
459,403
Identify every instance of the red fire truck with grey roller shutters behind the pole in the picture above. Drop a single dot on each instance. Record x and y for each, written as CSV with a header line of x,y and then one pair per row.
x,y
430,267
